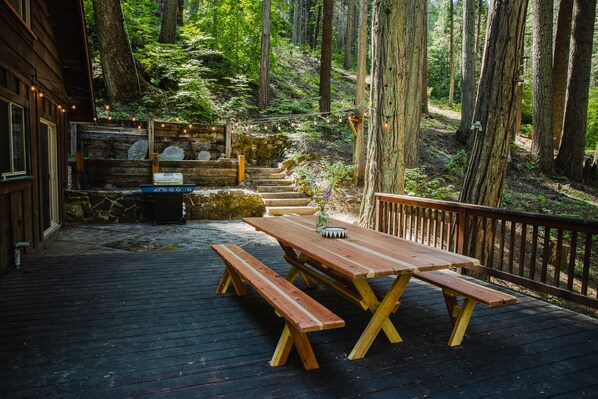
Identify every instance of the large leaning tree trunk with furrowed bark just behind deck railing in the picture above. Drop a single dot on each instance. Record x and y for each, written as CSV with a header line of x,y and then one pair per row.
x,y
496,104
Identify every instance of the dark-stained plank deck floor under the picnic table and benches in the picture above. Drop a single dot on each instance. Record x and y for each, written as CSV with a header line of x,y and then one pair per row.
x,y
151,325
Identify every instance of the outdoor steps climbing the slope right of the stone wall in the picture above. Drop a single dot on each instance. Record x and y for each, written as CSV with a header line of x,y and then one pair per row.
x,y
277,192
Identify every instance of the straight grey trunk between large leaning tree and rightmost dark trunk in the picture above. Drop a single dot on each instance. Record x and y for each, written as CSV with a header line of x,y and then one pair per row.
x,y
542,142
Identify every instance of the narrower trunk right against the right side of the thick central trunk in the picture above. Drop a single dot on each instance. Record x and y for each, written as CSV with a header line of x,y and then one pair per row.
x,y
414,35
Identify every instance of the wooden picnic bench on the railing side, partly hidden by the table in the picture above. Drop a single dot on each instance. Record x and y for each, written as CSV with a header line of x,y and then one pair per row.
x,y
454,286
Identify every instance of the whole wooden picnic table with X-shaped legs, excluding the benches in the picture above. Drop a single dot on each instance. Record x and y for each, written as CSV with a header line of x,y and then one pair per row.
x,y
348,265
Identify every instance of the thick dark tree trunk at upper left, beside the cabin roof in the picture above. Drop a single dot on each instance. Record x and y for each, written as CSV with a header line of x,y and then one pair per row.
x,y
118,66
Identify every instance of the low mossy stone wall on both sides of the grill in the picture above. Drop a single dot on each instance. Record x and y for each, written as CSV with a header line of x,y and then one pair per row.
x,y
130,206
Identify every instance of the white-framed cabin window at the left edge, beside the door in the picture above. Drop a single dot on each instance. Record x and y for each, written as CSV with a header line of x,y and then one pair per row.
x,y
13,140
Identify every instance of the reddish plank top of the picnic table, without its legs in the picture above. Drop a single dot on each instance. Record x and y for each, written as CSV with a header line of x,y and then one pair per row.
x,y
364,253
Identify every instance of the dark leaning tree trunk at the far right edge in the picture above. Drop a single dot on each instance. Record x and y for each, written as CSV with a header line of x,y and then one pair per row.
x,y
571,152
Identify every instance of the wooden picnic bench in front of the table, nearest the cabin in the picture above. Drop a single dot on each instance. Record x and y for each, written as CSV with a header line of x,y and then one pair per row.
x,y
302,313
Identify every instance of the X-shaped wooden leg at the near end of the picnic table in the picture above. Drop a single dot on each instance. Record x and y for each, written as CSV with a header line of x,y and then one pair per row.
x,y
380,318
